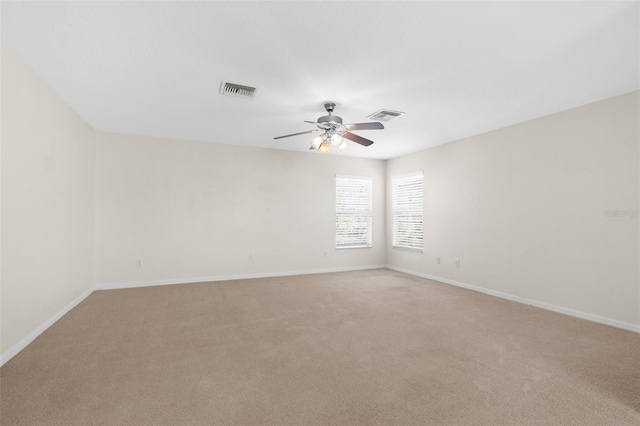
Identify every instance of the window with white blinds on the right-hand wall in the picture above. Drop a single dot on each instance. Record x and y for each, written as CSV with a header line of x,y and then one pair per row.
x,y
407,192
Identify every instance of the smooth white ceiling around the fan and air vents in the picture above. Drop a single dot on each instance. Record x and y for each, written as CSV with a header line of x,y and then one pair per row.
x,y
456,68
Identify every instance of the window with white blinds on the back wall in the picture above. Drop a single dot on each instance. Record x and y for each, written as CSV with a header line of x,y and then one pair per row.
x,y
353,211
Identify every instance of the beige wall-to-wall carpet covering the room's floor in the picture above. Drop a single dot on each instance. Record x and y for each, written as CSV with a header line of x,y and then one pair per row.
x,y
371,347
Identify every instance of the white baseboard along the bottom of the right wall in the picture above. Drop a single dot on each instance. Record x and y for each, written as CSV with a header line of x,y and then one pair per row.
x,y
562,310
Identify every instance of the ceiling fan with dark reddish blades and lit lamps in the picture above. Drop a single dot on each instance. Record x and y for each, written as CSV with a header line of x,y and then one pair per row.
x,y
334,132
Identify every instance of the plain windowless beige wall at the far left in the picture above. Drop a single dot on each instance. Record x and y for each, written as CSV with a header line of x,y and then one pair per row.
x,y
47,203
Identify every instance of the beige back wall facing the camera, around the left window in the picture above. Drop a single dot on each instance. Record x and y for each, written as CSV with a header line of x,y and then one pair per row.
x,y
193,210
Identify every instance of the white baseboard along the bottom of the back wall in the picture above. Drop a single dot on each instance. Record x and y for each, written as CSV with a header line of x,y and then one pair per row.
x,y
113,286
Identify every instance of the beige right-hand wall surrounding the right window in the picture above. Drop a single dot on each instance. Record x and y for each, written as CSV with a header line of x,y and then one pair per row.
x,y
523,209
